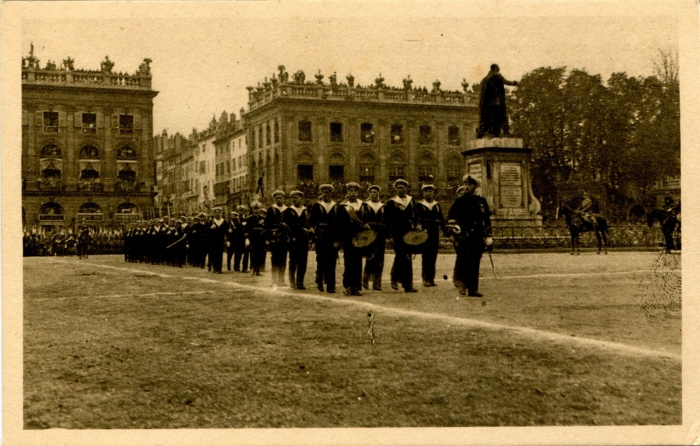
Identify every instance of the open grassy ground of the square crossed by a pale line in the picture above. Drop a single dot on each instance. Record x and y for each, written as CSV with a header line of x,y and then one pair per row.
x,y
557,340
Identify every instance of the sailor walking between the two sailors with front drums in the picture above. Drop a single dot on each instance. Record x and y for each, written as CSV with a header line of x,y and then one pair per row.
x,y
374,212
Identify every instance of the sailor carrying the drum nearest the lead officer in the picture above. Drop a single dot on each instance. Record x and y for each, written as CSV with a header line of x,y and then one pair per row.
x,y
400,218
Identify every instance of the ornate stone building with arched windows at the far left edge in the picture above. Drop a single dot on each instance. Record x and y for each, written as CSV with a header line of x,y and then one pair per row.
x,y
87,146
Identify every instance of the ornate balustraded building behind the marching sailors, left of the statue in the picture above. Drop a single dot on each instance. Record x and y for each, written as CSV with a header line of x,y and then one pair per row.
x,y
302,133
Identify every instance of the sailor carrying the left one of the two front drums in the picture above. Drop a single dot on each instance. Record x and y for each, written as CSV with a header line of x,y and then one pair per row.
x,y
350,220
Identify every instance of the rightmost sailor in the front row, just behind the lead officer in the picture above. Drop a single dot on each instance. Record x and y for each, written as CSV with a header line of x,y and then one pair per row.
x,y
433,221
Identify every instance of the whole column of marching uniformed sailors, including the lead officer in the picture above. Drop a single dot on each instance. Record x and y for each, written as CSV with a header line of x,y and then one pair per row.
x,y
359,228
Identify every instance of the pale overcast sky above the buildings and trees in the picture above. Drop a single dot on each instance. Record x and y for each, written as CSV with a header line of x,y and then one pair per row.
x,y
205,54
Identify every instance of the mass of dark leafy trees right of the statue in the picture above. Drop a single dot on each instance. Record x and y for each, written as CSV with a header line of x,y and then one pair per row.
x,y
617,138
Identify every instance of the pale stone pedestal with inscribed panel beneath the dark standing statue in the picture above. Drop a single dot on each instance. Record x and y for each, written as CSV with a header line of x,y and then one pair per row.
x,y
502,166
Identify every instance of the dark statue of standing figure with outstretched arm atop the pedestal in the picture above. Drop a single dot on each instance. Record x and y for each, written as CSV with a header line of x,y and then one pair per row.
x,y
493,119
